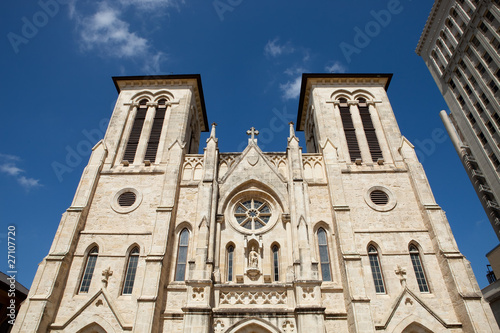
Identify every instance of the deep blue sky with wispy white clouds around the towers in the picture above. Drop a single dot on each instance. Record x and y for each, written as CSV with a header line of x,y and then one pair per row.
x,y
59,57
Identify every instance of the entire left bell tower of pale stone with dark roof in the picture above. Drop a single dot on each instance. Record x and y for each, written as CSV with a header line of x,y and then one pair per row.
x,y
107,258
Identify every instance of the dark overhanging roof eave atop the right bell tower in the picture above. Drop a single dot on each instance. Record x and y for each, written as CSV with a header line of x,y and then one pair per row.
x,y
333,79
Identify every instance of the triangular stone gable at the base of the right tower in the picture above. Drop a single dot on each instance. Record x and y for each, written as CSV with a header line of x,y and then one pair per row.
x,y
408,305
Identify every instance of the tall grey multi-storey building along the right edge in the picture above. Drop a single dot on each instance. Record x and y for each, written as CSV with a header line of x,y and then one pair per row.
x,y
460,45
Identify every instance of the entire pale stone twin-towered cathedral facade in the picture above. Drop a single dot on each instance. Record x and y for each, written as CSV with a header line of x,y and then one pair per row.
x,y
344,238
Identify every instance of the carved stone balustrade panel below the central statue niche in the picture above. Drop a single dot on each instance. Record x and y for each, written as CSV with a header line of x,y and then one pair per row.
x,y
259,298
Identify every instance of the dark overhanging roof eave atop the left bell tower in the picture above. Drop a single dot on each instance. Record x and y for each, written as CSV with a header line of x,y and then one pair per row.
x,y
158,80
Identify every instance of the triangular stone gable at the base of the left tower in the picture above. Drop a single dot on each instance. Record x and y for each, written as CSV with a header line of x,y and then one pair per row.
x,y
106,311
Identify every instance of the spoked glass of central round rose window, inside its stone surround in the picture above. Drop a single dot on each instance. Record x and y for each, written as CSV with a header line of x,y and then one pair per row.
x,y
252,214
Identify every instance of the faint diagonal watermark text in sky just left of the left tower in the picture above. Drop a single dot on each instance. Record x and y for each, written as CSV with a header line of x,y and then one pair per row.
x,y
75,155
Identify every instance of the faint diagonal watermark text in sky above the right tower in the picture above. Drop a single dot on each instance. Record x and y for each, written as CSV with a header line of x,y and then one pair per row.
x,y
363,37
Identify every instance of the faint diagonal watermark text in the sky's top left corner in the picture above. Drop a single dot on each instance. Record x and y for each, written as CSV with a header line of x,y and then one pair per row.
x,y
31,25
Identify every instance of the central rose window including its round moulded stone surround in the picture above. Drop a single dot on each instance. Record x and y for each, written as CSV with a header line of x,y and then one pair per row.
x,y
253,211
